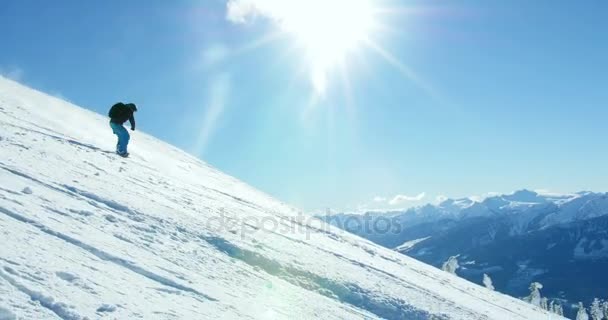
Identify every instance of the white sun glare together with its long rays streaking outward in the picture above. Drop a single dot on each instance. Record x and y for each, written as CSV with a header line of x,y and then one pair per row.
x,y
326,32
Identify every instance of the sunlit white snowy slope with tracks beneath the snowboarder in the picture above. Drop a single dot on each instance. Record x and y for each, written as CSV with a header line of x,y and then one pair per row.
x,y
85,234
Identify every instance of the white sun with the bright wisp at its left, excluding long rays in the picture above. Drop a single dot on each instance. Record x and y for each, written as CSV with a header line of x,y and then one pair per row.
x,y
325,31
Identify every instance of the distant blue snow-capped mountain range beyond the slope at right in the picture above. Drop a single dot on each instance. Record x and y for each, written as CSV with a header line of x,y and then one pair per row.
x,y
560,241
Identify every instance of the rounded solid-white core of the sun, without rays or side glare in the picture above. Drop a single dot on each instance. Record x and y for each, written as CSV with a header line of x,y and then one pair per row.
x,y
327,30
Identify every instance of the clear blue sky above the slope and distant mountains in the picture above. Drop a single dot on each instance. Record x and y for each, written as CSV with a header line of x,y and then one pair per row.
x,y
506,94
